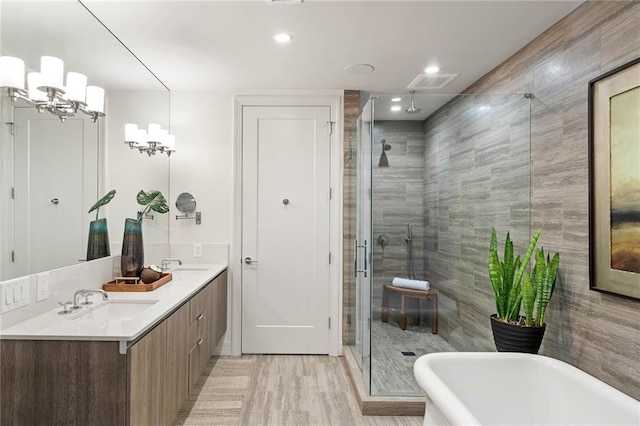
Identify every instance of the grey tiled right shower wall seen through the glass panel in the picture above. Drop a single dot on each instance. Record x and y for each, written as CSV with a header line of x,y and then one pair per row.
x,y
476,176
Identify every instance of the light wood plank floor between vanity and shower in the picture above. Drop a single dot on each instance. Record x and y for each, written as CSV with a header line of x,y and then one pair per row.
x,y
278,390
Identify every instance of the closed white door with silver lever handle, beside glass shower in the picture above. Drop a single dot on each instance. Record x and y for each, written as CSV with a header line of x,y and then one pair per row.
x,y
285,229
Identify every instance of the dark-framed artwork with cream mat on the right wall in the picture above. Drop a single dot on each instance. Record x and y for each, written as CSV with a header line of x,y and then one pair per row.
x,y
614,173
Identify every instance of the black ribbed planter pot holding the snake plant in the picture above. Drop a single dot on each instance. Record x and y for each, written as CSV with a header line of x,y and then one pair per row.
x,y
515,338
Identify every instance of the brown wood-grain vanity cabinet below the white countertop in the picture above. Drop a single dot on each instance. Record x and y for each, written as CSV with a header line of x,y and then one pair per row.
x,y
91,383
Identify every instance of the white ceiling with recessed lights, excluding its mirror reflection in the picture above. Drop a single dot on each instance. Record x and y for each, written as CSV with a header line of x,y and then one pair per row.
x,y
228,45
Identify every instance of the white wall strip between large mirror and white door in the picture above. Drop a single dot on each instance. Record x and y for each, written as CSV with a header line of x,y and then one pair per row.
x,y
203,164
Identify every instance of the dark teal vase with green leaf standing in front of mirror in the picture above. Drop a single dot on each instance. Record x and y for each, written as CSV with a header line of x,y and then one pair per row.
x,y
132,259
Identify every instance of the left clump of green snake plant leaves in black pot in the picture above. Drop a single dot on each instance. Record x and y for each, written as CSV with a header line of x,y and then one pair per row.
x,y
506,276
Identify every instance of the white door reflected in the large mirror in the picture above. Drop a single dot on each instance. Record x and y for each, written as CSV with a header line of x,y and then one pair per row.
x,y
55,183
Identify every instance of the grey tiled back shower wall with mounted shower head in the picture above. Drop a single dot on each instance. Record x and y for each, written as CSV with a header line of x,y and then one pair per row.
x,y
397,201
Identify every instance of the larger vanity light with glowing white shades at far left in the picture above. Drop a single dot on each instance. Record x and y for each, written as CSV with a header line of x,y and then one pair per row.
x,y
45,90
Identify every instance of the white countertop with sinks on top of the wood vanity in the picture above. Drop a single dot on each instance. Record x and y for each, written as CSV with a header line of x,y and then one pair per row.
x,y
187,281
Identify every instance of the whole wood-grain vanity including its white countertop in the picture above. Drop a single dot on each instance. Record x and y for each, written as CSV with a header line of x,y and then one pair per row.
x,y
130,360
